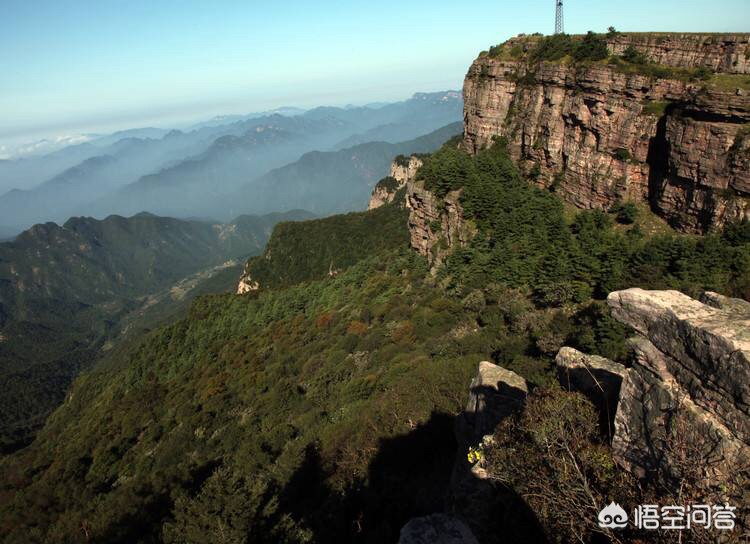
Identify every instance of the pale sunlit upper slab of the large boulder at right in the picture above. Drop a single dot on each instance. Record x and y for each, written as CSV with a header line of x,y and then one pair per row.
x,y
705,349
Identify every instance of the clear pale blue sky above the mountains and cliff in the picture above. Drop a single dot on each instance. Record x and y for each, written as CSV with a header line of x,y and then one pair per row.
x,y
77,66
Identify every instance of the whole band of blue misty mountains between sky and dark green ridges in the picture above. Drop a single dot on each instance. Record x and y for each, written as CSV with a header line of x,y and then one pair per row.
x,y
325,160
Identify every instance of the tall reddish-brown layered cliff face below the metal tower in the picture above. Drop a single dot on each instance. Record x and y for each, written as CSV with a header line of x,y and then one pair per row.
x,y
600,133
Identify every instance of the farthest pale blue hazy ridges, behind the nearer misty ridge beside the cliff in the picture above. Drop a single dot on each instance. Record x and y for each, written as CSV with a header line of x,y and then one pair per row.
x,y
180,173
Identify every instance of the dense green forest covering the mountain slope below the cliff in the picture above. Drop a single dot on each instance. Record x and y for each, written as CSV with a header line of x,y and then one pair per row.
x,y
321,408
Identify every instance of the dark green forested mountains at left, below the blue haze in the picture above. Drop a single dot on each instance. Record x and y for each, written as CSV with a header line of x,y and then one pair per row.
x,y
65,290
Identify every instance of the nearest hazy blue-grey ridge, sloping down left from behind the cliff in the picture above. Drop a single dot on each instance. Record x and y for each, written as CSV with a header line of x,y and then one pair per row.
x,y
329,182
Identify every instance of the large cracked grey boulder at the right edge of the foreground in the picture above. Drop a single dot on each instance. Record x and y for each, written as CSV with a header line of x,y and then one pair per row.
x,y
686,399
